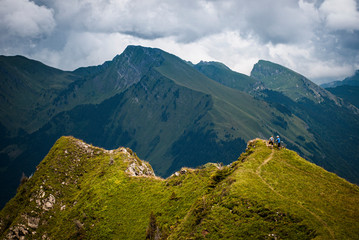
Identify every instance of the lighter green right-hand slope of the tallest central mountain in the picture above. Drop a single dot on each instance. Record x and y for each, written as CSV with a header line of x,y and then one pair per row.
x,y
235,111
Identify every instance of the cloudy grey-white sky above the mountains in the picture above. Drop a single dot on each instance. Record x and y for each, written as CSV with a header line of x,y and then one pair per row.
x,y
317,38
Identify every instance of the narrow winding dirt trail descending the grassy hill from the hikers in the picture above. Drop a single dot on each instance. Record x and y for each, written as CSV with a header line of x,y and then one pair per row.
x,y
258,172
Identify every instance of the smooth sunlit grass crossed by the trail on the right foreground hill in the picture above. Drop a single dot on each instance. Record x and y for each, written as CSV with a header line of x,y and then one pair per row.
x,y
286,181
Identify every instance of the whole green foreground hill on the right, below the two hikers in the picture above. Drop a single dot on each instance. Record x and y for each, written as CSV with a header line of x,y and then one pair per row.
x,y
274,194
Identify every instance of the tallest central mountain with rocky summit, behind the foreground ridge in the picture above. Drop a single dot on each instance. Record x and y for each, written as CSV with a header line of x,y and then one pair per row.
x,y
173,100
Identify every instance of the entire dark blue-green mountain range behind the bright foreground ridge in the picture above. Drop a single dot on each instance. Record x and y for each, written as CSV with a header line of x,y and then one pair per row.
x,y
170,112
